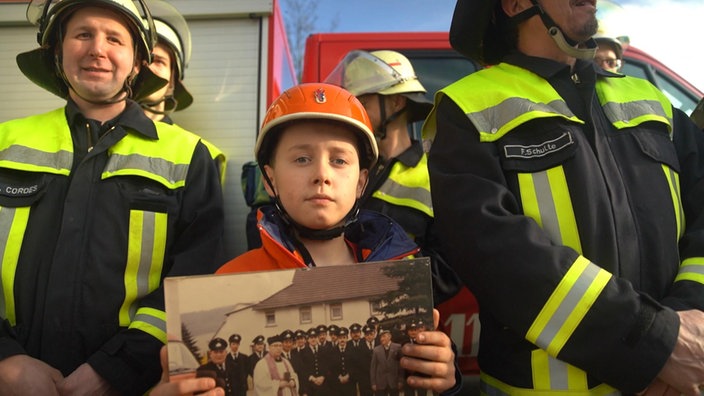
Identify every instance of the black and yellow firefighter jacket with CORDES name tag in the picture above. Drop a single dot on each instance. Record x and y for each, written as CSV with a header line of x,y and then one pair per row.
x,y
93,217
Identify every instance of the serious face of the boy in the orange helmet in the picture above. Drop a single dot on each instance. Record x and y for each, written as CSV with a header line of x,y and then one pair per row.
x,y
315,171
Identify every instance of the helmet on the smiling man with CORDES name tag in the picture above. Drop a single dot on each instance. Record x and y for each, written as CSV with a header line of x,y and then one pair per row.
x,y
40,65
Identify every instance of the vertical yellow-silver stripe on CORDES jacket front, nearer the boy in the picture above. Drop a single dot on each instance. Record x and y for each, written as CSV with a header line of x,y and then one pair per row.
x,y
145,258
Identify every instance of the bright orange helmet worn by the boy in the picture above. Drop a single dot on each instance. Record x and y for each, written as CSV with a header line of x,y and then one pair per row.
x,y
317,101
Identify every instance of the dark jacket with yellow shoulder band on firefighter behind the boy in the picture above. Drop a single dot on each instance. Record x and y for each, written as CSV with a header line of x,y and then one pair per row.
x,y
400,189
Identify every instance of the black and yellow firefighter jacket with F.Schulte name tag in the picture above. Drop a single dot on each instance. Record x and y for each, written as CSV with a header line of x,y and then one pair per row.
x,y
571,204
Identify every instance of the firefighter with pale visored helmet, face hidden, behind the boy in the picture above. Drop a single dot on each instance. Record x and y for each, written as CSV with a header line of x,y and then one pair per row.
x,y
399,186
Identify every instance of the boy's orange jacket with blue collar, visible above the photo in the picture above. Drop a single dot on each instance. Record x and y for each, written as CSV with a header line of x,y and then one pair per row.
x,y
373,237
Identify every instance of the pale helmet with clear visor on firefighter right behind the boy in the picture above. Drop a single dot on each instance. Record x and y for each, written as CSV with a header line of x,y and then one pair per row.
x,y
382,72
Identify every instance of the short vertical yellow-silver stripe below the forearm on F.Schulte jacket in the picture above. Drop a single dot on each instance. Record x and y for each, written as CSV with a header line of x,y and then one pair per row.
x,y
553,374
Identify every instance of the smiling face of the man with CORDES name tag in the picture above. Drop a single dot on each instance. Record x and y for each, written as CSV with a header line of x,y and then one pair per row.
x,y
98,53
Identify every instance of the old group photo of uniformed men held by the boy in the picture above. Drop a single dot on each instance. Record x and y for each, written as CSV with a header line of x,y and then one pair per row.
x,y
317,331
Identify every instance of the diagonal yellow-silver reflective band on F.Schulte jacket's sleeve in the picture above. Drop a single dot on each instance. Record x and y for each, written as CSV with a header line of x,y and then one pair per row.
x,y
567,306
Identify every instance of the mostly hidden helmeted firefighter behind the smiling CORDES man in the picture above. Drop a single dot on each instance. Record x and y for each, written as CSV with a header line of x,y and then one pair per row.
x,y
171,56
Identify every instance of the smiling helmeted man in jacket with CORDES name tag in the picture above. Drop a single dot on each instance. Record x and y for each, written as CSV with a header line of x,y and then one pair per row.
x,y
99,204
